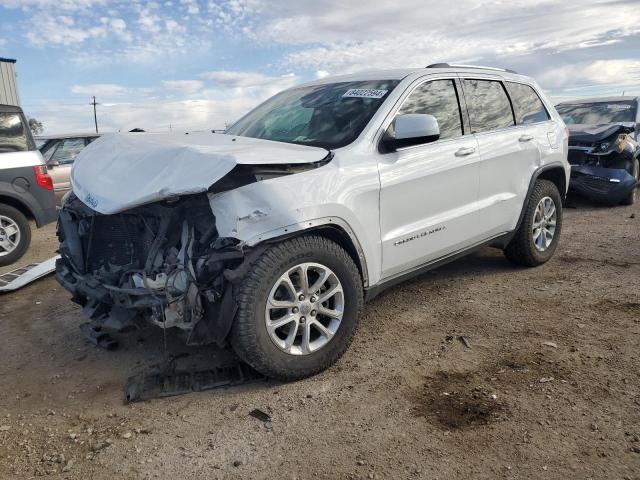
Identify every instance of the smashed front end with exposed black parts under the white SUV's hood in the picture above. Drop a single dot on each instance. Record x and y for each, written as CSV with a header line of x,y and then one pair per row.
x,y
163,262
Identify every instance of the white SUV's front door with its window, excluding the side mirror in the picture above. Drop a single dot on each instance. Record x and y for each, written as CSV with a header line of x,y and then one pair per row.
x,y
429,192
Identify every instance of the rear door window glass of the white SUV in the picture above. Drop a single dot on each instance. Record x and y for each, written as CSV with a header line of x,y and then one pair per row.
x,y
488,104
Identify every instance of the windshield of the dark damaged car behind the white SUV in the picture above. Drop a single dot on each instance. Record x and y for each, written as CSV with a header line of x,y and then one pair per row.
x,y
597,113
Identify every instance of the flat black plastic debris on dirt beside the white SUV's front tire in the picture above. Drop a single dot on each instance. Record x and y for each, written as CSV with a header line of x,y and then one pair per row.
x,y
168,382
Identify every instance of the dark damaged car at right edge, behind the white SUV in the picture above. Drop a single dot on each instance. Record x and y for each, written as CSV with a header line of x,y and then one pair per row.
x,y
603,148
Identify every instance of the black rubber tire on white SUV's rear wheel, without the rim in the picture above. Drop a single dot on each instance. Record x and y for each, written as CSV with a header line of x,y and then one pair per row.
x,y
521,250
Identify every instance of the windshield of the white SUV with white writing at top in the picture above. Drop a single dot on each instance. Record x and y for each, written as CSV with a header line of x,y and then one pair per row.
x,y
329,116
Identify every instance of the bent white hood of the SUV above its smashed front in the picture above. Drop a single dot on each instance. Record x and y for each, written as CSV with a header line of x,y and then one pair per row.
x,y
121,171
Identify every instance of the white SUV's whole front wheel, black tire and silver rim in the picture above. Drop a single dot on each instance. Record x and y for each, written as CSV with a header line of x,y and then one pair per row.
x,y
298,308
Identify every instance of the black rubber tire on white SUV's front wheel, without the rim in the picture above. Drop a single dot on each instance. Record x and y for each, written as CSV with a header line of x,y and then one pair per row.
x,y
249,336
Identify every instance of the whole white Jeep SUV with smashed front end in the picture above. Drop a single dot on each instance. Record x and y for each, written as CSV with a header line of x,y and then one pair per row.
x,y
272,235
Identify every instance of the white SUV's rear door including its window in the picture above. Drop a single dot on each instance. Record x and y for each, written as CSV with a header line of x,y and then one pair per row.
x,y
509,154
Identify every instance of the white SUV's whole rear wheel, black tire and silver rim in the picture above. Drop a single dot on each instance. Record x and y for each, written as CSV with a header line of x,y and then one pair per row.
x,y
537,237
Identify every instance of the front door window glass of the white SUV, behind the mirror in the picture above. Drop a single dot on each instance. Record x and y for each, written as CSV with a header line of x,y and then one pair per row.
x,y
437,98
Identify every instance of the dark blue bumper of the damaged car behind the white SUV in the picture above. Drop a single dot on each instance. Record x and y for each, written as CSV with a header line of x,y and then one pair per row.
x,y
610,185
